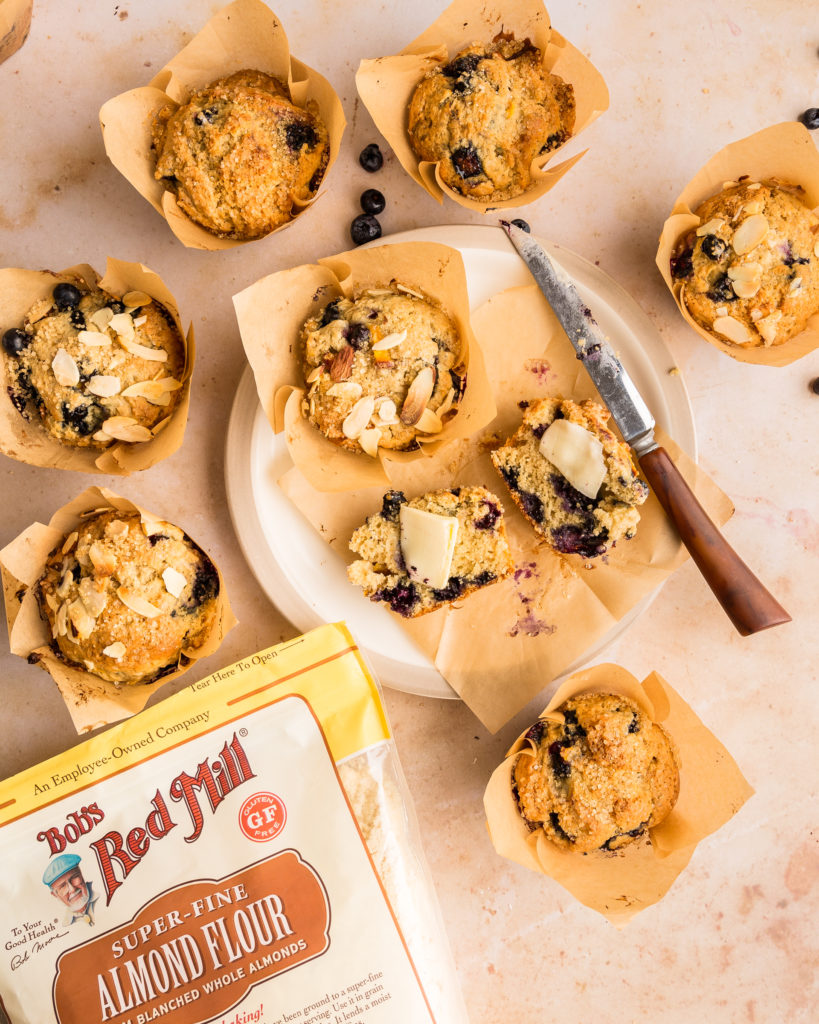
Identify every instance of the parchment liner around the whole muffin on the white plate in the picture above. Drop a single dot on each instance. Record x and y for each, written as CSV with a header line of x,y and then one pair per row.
x,y
272,312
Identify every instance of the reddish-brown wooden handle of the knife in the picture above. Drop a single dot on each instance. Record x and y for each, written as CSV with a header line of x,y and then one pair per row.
x,y
750,607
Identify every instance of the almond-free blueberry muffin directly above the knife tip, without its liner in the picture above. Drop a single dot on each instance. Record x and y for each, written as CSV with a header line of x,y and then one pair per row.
x,y
488,115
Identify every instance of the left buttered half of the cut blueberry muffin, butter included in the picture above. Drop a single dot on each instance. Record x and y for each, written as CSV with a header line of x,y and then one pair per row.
x,y
421,554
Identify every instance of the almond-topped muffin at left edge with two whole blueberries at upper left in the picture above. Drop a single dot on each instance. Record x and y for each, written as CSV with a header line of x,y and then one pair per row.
x,y
96,368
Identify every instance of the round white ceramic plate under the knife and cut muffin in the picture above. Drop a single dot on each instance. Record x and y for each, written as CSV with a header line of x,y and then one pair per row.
x,y
296,569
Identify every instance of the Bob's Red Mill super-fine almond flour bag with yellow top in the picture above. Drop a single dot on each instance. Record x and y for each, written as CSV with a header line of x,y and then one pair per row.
x,y
244,851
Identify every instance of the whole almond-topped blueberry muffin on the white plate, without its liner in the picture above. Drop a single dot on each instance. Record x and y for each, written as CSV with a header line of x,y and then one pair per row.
x,y
381,370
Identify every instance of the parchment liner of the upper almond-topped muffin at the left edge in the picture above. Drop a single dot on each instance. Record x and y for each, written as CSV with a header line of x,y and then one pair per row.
x,y
27,441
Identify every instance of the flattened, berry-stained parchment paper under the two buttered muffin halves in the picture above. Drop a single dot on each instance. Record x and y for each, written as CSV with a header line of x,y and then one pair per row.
x,y
503,646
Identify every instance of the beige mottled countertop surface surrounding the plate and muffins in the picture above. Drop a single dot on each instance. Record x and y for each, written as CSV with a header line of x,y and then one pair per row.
x,y
736,940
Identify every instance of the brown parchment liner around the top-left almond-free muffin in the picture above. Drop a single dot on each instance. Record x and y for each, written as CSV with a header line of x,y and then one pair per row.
x,y
246,34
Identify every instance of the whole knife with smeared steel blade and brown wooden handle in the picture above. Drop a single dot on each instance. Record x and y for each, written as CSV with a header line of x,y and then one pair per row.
x,y
749,605
